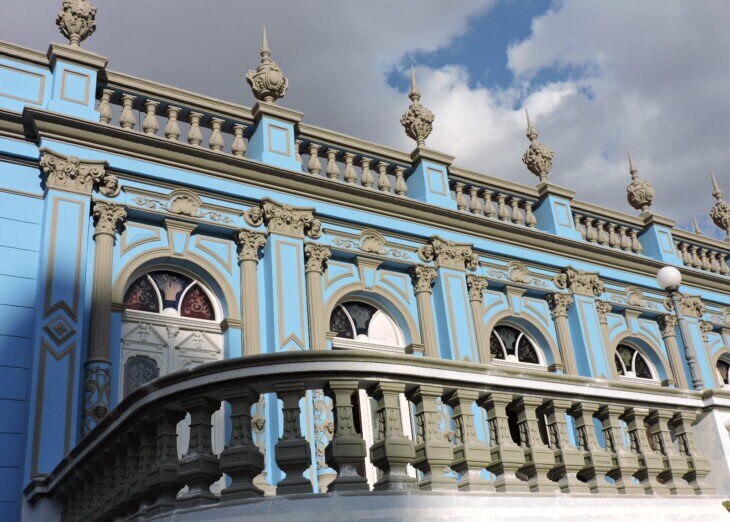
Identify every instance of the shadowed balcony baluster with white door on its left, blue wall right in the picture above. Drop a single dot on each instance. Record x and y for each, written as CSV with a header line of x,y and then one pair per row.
x,y
241,459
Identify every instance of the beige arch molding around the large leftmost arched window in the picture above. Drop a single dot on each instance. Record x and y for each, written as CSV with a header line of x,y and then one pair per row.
x,y
193,266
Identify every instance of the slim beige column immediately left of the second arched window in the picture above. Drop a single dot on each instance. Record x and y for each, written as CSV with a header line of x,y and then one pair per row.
x,y
315,264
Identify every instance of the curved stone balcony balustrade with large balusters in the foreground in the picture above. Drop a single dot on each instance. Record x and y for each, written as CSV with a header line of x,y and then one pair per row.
x,y
476,429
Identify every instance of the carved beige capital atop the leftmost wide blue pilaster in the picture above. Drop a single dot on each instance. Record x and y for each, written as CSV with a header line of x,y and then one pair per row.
x,y
77,175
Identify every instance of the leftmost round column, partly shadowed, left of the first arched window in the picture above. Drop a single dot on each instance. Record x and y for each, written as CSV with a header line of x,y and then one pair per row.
x,y
97,395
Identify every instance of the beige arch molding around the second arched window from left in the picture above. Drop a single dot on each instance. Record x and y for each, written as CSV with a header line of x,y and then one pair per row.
x,y
381,299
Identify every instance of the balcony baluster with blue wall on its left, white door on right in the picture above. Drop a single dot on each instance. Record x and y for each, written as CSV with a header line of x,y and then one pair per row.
x,y
346,453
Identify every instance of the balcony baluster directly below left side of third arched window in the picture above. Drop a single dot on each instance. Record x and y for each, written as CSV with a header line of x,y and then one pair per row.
x,y
506,457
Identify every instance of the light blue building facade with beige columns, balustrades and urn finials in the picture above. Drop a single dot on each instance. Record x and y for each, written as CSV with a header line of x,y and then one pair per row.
x,y
505,338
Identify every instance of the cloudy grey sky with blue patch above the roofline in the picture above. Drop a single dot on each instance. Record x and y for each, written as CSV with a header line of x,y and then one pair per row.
x,y
598,77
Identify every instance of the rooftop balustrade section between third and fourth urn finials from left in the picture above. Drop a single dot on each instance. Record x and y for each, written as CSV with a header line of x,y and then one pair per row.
x,y
491,202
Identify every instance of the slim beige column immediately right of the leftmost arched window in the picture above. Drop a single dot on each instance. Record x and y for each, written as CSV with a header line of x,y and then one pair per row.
x,y
249,244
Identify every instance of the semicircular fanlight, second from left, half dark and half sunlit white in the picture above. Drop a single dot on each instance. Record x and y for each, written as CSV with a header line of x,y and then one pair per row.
x,y
357,324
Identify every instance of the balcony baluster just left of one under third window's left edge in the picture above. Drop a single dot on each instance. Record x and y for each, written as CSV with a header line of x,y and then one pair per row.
x,y
470,455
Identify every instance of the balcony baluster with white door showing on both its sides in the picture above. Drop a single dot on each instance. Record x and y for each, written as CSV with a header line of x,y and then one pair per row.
x,y
392,451
